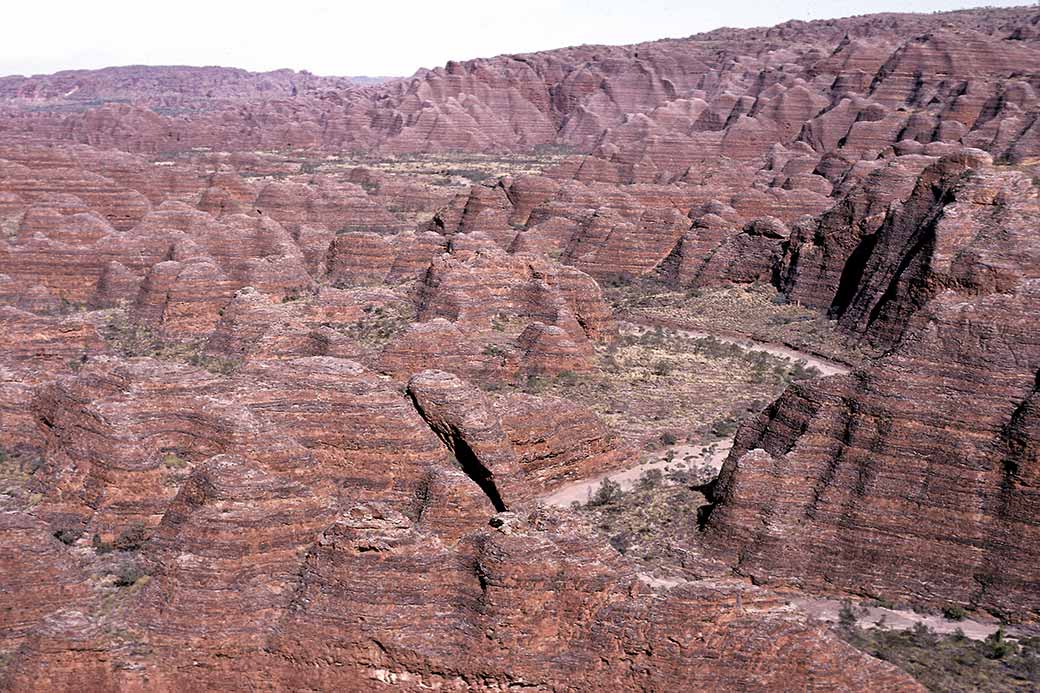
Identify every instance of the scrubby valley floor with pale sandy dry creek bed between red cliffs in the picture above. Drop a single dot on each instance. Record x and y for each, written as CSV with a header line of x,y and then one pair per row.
x,y
646,510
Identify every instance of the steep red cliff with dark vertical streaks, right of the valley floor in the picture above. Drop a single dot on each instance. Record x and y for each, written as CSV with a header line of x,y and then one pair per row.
x,y
928,457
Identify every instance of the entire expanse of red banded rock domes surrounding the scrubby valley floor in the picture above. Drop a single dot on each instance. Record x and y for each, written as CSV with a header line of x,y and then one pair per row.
x,y
263,412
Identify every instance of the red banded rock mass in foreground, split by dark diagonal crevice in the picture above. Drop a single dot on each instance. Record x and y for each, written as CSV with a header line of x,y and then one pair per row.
x,y
305,524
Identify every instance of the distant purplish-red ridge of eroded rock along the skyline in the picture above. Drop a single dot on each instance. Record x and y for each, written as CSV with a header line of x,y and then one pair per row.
x,y
649,112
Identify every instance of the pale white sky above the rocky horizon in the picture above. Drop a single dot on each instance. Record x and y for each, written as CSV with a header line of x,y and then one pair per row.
x,y
373,38
